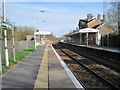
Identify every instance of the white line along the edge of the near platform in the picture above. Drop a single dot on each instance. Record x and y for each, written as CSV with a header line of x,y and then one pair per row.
x,y
73,78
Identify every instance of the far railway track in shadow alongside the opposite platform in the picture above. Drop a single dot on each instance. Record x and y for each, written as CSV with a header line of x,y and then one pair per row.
x,y
106,61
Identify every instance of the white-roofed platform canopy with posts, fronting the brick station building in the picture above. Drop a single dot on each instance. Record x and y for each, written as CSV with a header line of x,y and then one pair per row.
x,y
87,36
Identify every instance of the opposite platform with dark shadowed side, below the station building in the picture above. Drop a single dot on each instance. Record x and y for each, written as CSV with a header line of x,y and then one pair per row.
x,y
103,52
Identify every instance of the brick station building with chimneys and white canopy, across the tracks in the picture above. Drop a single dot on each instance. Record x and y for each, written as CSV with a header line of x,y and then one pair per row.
x,y
89,31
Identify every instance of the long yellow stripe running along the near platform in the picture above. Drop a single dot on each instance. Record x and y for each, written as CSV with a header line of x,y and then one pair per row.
x,y
42,77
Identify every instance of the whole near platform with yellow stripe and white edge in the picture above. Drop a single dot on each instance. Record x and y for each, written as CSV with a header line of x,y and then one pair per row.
x,y
41,69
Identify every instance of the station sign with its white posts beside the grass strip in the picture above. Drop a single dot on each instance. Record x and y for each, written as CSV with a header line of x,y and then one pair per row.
x,y
6,25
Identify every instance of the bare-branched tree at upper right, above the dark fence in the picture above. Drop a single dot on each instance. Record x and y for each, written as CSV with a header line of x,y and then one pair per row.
x,y
113,15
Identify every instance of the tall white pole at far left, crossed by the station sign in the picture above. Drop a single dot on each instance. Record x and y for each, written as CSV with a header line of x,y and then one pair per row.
x,y
5,34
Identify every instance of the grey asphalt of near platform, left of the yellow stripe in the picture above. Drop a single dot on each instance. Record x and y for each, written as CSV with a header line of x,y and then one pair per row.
x,y
25,73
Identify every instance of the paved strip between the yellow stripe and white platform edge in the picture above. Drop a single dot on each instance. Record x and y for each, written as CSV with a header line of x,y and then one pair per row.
x,y
58,78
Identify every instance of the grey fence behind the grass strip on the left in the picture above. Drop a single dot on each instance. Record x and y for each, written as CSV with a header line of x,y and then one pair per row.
x,y
19,46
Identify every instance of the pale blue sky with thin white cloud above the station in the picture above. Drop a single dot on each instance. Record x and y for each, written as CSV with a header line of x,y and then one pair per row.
x,y
60,17
